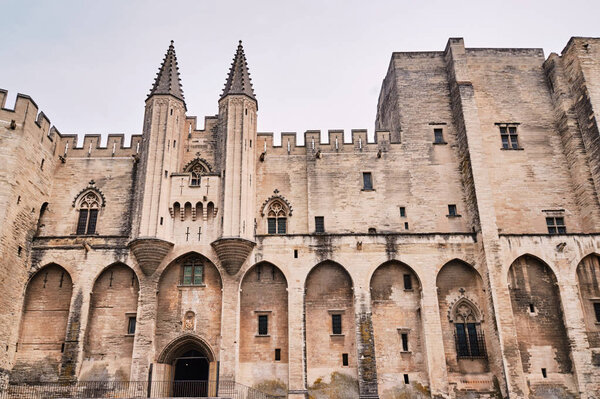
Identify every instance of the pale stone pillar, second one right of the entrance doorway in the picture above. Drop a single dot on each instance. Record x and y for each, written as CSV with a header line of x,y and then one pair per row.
x,y
296,342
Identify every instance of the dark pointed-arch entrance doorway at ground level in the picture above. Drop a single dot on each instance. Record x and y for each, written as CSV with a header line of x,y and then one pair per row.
x,y
189,368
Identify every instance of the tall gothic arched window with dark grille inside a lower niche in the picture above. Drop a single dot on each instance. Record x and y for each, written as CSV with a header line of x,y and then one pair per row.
x,y
468,335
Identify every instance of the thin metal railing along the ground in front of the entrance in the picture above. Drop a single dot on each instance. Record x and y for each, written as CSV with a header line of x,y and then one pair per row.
x,y
130,390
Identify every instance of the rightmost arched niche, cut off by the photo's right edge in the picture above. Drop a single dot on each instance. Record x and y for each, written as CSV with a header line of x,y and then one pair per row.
x,y
588,279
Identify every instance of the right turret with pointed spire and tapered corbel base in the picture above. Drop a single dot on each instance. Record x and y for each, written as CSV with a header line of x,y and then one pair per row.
x,y
237,157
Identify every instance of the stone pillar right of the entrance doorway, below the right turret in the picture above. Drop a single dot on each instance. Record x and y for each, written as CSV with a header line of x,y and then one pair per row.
x,y
229,329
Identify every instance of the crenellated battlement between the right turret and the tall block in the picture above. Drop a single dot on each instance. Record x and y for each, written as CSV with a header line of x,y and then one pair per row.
x,y
313,144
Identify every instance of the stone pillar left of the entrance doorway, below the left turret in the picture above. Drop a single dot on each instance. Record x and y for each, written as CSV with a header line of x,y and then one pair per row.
x,y
143,343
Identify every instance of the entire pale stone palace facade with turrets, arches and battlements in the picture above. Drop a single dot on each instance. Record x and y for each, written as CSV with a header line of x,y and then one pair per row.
x,y
468,267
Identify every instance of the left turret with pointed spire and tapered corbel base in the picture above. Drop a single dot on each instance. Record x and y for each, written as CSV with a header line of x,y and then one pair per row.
x,y
160,156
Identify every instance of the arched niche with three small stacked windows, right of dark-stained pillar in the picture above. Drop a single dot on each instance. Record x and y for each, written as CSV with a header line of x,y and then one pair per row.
x,y
397,327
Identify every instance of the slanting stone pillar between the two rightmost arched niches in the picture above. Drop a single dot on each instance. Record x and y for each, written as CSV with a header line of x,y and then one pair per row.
x,y
588,381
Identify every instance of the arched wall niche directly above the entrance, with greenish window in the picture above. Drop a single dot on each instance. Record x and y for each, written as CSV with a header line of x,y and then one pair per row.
x,y
191,283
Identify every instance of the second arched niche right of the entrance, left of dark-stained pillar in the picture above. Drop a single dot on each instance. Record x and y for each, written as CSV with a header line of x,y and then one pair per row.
x,y
329,300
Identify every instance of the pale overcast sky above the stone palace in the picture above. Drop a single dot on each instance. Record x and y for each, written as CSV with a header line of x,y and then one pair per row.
x,y
314,64
